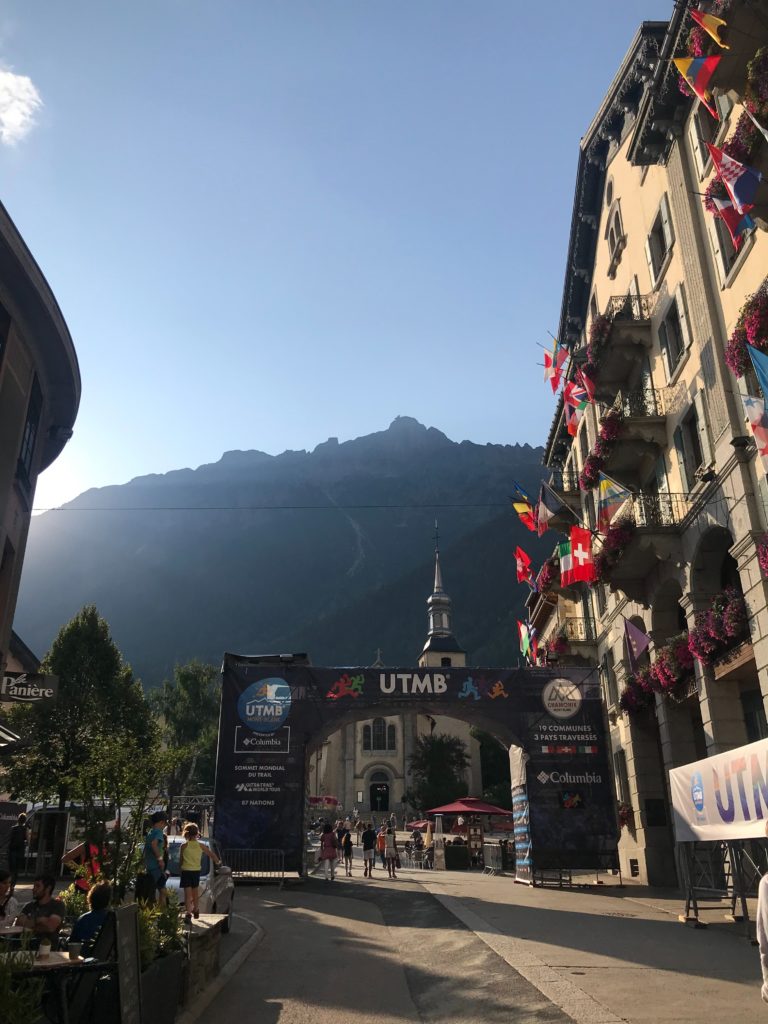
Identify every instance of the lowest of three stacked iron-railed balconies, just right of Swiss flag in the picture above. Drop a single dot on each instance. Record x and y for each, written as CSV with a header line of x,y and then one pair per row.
x,y
656,539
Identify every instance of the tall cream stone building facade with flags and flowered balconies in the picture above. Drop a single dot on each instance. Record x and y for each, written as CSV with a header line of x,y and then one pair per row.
x,y
653,293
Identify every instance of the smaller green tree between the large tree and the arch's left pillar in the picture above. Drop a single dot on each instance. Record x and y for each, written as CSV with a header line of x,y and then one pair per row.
x,y
189,709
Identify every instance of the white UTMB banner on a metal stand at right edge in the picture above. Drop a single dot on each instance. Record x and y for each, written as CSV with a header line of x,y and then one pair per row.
x,y
724,797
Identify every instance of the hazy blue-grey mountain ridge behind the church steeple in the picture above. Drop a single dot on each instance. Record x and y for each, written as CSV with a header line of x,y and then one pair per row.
x,y
258,550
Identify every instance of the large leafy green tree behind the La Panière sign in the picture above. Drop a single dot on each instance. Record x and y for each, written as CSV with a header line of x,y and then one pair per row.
x,y
99,700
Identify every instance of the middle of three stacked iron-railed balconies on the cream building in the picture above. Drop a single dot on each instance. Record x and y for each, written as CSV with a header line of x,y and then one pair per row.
x,y
643,436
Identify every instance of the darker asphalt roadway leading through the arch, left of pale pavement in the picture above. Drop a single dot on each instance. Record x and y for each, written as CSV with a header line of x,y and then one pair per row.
x,y
382,951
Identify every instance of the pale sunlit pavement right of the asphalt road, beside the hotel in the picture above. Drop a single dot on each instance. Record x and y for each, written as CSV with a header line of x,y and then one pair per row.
x,y
610,955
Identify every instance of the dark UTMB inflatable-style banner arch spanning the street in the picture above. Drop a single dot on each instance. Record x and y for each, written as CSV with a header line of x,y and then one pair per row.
x,y
273,714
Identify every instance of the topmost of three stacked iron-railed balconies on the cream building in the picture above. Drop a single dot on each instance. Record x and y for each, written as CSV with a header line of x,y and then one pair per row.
x,y
619,342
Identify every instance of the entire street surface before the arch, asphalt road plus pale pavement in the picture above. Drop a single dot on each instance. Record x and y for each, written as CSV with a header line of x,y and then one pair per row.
x,y
437,947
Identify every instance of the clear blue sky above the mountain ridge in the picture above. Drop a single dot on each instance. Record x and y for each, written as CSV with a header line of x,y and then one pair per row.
x,y
273,222
